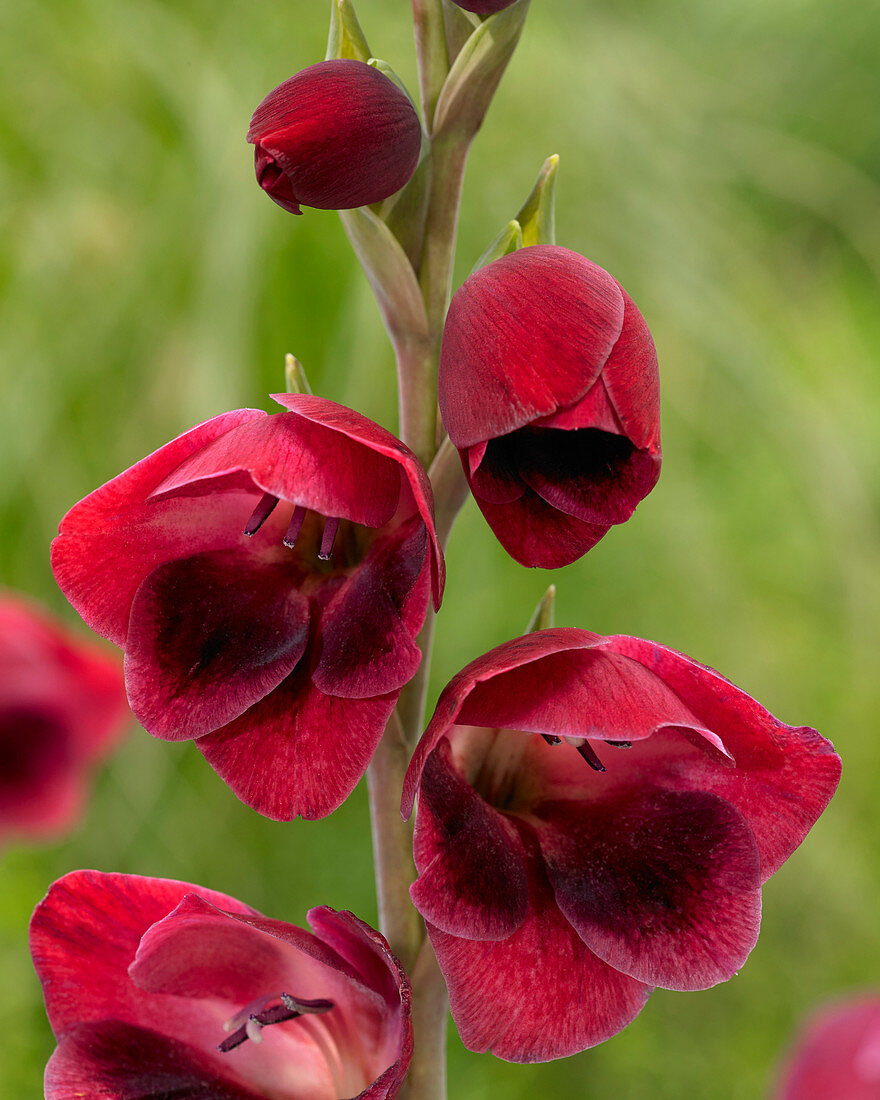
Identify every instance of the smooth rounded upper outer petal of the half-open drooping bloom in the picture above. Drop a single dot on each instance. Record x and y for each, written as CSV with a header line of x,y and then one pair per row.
x,y
504,362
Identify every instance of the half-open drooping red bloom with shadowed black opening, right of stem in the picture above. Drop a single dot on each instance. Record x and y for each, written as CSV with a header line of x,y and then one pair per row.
x,y
549,390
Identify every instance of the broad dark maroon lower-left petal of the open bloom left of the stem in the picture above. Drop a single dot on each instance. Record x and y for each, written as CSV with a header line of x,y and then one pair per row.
x,y
210,636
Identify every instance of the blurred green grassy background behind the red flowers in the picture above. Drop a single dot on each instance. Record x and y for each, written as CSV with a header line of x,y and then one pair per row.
x,y
722,161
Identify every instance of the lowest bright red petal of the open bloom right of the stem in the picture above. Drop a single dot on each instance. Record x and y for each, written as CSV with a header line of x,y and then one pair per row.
x,y
538,995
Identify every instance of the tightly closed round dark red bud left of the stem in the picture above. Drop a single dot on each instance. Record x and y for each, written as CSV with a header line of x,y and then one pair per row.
x,y
337,136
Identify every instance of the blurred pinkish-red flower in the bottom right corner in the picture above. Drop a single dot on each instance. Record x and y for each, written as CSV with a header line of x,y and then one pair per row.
x,y
838,1055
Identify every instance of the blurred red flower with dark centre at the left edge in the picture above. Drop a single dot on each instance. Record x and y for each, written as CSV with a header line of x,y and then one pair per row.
x,y
62,707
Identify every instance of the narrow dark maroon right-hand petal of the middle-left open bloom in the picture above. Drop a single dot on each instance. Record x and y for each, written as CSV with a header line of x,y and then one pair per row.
x,y
367,641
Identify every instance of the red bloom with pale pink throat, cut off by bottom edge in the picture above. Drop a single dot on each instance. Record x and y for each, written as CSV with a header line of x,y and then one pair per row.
x,y
163,989
